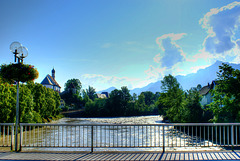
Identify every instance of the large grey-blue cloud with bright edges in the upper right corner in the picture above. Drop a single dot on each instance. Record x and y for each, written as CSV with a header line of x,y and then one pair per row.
x,y
221,25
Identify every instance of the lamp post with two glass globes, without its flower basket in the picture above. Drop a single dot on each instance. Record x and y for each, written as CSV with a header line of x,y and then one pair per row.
x,y
19,52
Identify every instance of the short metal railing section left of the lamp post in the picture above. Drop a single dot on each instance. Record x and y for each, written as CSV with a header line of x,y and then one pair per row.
x,y
7,135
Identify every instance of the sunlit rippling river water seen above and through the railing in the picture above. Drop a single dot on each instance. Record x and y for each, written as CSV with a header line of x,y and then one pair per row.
x,y
112,136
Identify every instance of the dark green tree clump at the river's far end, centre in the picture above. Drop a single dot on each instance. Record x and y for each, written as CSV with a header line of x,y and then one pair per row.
x,y
120,103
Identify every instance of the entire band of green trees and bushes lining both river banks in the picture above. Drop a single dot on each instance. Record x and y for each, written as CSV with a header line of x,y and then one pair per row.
x,y
40,104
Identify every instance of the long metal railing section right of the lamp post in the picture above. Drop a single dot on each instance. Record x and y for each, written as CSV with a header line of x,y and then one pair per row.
x,y
130,136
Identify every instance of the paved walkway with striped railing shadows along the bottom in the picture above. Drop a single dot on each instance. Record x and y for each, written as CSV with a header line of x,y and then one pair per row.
x,y
224,155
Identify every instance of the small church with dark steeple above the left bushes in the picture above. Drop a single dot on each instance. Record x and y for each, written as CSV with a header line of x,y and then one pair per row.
x,y
50,82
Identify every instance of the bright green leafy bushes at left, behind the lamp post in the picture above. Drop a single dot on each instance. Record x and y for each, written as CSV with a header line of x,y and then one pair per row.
x,y
37,103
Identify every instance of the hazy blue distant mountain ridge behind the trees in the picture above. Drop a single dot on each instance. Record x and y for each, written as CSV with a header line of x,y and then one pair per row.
x,y
203,77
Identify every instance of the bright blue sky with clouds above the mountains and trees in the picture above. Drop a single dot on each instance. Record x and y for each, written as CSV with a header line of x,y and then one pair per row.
x,y
132,43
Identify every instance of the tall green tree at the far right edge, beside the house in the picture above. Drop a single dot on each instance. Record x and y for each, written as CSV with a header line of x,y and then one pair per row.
x,y
226,95
